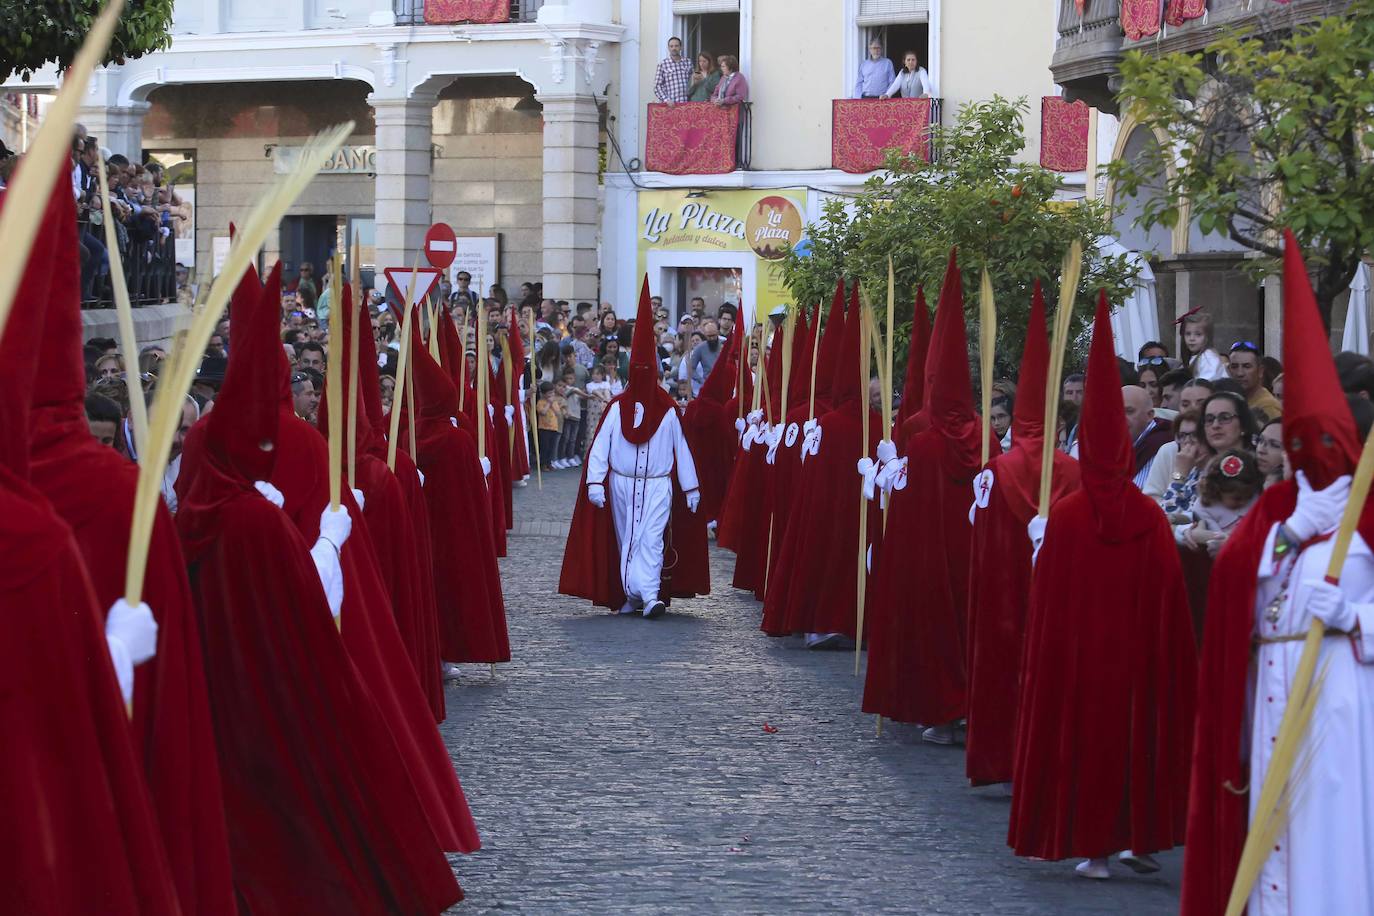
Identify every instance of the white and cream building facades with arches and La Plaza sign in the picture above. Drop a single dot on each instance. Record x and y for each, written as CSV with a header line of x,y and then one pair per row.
x,y
534,131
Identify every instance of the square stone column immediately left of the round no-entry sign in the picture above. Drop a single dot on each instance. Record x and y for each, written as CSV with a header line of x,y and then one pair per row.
x,y
405,141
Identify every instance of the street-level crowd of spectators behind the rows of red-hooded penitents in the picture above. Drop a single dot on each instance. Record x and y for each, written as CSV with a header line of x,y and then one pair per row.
x,y
1206,447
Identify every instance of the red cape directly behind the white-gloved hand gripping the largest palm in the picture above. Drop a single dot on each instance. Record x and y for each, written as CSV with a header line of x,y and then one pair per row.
x,y
91,487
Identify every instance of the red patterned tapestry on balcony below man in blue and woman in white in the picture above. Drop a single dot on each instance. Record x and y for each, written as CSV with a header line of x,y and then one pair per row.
x,y
862,131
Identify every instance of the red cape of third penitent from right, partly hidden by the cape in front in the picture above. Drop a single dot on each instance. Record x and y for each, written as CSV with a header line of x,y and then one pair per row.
x,y
1000,590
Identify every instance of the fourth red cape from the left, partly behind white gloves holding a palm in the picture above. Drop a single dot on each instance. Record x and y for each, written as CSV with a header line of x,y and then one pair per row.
x,y
372,637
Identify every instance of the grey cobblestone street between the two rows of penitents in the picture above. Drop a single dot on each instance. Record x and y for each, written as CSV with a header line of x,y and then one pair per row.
x,y
622,766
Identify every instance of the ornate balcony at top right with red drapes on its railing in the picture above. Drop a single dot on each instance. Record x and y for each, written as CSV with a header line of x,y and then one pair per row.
x,y
1093,41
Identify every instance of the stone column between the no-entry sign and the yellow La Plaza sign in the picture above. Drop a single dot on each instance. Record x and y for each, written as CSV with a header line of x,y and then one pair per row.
x,y
571,211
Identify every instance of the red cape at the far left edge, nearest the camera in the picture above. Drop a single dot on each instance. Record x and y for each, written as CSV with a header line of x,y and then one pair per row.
x,y
80,833
